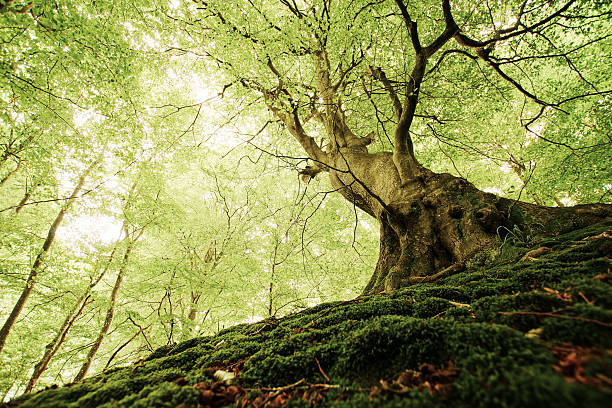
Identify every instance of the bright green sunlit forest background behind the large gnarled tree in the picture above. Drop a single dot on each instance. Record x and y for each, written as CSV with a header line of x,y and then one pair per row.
x,y
147,198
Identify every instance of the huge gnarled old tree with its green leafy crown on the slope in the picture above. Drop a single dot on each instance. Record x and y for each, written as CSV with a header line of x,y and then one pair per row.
x,y
339,74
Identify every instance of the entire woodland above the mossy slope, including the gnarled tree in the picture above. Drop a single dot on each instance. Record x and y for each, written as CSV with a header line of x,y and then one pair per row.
x,y
162,162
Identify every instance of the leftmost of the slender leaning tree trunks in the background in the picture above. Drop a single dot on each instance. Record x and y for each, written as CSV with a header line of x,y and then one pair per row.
x,y
31,280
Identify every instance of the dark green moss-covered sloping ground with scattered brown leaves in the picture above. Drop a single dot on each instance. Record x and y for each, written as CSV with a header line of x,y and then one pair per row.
x,y
510,331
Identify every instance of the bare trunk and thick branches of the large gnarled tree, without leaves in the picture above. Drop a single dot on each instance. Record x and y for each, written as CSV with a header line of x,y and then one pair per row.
x,y
429,222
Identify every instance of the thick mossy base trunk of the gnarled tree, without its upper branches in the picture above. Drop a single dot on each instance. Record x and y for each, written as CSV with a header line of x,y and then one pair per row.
x,y
436,221
